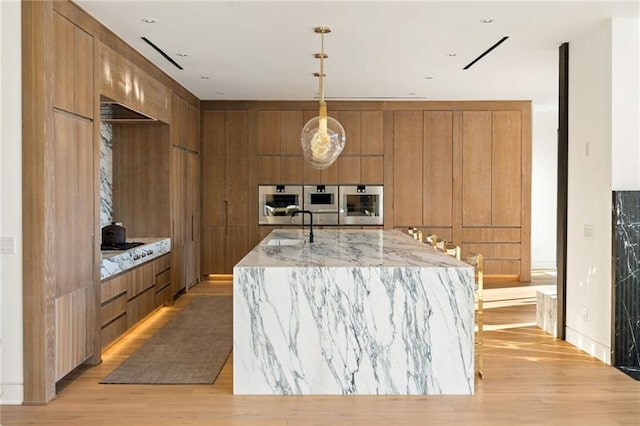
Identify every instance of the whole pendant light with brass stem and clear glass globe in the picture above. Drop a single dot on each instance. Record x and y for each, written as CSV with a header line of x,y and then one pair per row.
x,y
323,137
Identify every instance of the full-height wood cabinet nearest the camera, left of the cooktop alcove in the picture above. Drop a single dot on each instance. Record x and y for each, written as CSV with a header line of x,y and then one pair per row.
x,y
73,196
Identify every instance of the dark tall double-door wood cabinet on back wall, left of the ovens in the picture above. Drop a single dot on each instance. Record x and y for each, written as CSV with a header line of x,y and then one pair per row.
x,y
225,220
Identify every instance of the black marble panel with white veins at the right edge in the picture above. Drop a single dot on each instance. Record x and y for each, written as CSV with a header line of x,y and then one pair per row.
x,y
626,263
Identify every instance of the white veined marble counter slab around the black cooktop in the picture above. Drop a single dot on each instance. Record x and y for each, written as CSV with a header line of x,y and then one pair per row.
x,y
116,261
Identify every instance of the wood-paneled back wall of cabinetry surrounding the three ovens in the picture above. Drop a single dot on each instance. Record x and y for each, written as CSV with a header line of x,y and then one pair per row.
x,y
459,169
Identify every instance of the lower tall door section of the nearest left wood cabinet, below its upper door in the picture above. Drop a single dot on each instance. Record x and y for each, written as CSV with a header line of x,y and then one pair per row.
x,y
74,244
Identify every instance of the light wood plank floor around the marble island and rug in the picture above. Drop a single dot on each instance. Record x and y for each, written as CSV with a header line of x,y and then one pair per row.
x,y
531,379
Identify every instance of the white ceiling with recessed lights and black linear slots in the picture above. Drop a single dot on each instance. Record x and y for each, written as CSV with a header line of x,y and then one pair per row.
x,y
377,49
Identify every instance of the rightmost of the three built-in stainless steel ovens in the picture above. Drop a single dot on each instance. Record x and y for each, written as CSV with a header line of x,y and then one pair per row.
x,y
361,205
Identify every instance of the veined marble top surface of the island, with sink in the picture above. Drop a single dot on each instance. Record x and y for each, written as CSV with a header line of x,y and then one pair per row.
x,y
346,248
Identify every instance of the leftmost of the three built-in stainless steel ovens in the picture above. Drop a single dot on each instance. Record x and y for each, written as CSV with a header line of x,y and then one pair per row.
x,y
276,204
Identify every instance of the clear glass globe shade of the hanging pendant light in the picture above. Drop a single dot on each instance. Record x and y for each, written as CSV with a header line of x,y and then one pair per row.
x,y
322,140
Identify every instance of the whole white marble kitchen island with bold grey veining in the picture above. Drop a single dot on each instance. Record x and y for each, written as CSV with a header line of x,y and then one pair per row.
x,y
355,312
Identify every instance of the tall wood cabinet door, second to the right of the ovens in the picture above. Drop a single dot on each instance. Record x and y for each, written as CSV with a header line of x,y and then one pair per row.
x,y
438,169
